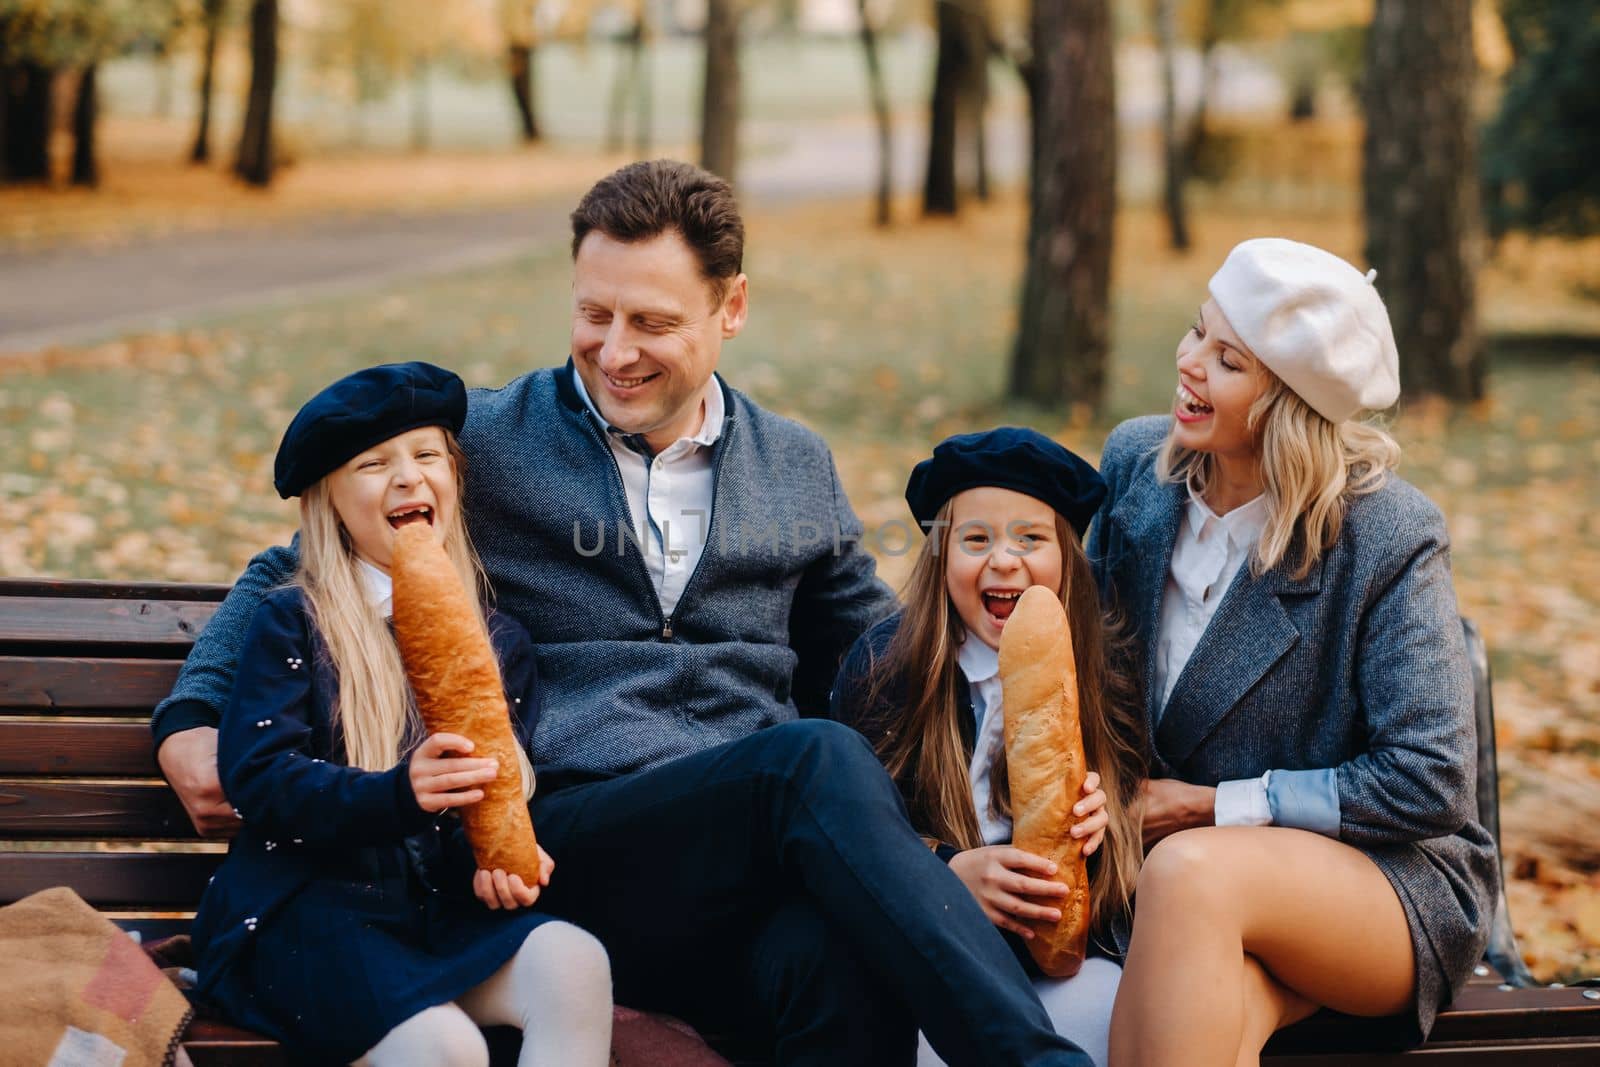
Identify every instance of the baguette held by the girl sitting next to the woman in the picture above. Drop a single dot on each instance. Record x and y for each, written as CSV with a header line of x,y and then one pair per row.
x,y
1044,745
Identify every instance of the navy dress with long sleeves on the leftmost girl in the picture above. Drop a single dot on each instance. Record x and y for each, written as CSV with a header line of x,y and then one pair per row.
x,y
343,909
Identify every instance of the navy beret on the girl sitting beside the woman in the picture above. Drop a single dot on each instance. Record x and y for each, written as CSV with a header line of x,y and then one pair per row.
x,y
1010,458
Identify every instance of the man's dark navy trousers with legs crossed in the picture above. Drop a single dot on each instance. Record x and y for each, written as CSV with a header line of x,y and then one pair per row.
x,y
777,882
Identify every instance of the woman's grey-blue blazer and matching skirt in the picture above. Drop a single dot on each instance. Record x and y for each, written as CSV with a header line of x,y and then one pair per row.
x,y
1359,666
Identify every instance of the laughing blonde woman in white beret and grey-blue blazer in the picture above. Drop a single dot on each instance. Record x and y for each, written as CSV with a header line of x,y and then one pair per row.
x,y
1311,799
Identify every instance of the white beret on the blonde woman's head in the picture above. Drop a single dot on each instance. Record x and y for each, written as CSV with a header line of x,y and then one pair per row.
x,y
1314,321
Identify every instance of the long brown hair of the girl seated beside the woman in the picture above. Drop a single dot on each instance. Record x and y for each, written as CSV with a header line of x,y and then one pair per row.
x,y
921,741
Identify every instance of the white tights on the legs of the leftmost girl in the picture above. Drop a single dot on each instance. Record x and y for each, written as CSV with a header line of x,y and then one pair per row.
x,y
558,989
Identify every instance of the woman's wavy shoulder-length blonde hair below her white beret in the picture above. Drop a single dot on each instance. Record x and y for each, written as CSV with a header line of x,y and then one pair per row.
x,y
1310,470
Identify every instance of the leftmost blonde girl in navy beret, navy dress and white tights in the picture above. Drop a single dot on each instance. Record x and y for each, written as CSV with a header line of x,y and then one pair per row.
x,y
350,921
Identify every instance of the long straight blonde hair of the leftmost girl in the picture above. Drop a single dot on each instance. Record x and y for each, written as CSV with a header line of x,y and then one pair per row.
x,y
375,717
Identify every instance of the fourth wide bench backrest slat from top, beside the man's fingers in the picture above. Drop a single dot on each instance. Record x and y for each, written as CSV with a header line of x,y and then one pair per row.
x,y
47,810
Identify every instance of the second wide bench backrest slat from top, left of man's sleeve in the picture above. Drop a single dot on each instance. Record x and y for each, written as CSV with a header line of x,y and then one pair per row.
x,y
86,685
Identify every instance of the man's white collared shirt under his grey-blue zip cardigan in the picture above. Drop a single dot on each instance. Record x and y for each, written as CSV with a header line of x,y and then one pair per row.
x,y
674,492
